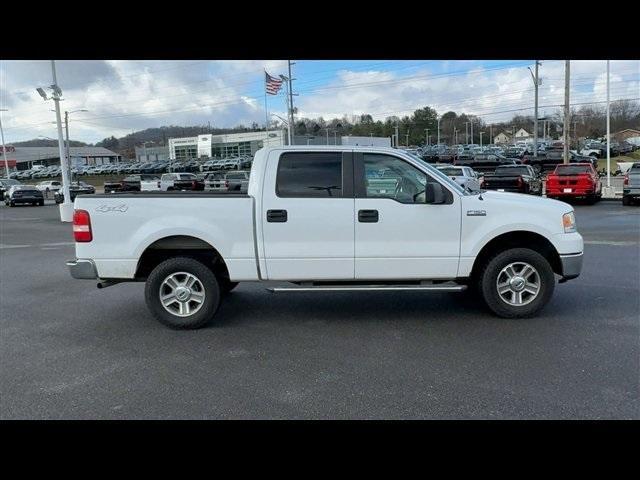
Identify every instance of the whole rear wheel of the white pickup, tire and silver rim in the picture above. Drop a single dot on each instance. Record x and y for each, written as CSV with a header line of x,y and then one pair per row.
x,y
182,293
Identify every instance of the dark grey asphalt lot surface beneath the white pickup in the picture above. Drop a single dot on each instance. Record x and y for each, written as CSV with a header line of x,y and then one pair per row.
x,y
71,351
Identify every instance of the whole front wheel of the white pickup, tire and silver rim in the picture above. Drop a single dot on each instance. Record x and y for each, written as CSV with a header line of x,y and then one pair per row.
x,y
516,283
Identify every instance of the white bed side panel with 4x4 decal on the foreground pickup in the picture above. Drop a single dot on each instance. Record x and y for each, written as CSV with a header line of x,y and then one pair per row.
x,y
124,225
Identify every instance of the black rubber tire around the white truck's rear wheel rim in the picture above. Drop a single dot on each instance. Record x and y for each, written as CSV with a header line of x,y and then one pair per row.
x,y
211,290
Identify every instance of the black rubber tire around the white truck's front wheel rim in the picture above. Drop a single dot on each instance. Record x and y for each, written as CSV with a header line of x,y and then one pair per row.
x,y
488,278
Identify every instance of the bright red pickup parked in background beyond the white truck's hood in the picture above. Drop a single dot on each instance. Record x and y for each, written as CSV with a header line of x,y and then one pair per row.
x,y
575,180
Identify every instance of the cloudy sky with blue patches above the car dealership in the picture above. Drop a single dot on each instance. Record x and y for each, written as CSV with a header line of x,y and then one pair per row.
x,y
126,95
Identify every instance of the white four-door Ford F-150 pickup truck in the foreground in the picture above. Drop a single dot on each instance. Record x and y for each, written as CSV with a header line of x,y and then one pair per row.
x,y
338,218
